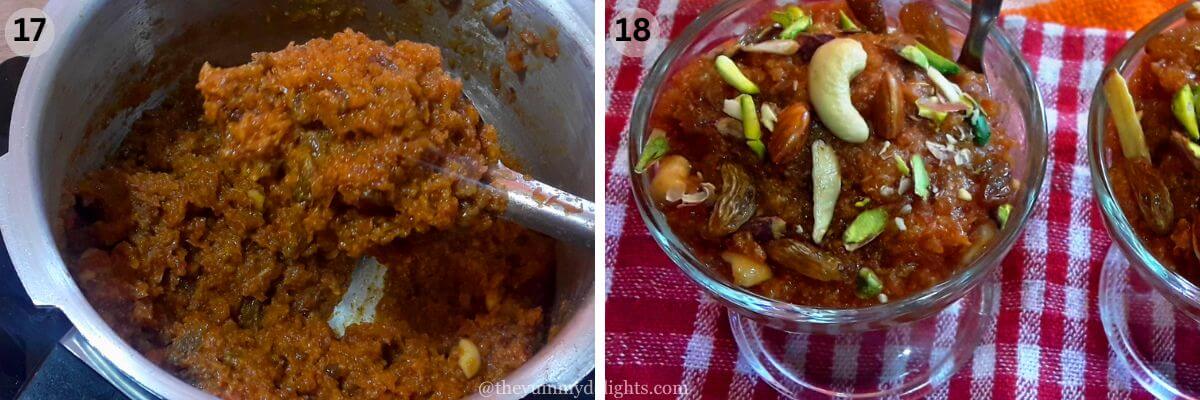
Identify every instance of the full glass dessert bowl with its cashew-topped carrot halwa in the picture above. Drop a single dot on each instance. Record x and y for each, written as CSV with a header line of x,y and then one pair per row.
x,y
827,174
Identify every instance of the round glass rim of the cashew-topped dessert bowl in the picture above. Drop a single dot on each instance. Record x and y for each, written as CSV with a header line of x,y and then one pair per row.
x,y
799,317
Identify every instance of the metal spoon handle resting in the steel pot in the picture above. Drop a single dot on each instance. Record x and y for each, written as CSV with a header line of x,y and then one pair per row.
x,y
545,208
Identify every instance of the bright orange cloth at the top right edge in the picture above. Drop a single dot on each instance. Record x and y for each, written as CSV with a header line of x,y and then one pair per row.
x,y
1117,15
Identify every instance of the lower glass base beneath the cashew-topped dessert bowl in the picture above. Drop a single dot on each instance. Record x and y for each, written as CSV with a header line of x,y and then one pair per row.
x,y
901,361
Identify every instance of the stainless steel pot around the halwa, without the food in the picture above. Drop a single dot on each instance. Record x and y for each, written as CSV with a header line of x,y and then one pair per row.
x,y
65,123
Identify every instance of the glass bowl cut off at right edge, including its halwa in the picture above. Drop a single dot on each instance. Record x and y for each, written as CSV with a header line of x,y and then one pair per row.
x,y
1142,146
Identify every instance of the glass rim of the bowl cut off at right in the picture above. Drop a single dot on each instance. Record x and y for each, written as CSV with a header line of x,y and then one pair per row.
x,y
1119,226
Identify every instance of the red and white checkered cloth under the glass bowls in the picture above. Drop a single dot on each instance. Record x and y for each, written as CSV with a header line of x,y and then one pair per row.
x,y
1048,342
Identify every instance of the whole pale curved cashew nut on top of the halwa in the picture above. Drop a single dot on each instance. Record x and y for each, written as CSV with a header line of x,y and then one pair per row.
x,y
835,64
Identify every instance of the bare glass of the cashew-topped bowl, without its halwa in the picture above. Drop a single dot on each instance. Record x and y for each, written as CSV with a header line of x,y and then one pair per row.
x,y
893,349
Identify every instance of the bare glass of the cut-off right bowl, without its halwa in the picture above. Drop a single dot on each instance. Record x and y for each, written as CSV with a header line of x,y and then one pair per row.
x,y
1144,306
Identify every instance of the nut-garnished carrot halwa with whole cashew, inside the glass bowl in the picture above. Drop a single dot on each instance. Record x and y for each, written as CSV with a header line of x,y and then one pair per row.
x,y
825,159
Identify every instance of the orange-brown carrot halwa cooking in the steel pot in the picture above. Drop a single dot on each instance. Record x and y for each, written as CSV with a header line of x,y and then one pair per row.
x,y
223,234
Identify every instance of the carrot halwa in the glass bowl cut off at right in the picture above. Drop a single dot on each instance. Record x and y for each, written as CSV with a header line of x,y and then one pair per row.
x,y
1156,164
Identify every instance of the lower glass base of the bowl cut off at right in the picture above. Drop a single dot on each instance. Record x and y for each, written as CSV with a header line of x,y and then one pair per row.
x,y
1149,336
